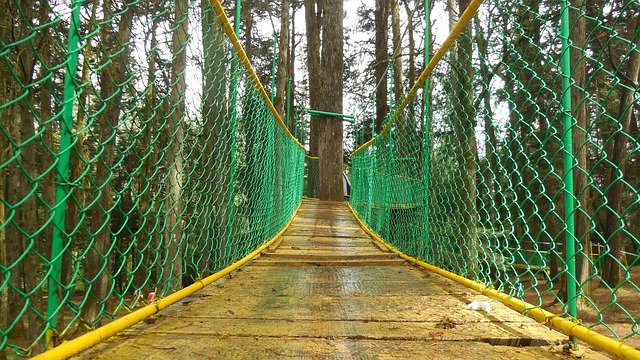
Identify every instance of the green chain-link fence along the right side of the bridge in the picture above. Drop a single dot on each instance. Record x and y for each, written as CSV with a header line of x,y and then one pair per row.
x,y
525,172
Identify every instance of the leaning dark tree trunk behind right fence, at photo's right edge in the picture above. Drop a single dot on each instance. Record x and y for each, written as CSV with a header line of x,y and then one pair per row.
x,y
615,262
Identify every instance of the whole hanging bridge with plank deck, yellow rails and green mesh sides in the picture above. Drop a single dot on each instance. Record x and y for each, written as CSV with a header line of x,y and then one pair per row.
x,y
155,204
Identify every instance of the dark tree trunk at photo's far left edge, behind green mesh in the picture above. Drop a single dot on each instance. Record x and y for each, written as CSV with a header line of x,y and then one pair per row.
x,y
20,225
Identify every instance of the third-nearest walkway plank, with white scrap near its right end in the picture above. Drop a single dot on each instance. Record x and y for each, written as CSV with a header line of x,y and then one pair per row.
x,y
352,306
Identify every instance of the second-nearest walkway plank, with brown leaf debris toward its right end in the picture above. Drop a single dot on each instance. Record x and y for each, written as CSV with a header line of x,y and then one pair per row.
x,y
442,328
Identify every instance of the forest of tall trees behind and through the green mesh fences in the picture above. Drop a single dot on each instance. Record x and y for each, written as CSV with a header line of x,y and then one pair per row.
x,y
142,147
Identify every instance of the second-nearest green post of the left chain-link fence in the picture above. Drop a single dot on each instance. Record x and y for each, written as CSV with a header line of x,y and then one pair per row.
x,y
234,116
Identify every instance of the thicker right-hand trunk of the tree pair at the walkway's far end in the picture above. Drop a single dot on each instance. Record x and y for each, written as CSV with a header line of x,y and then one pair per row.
x,y
331,128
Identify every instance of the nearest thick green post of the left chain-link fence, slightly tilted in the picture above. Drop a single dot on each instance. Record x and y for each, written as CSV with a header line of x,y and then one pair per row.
x,y
62,169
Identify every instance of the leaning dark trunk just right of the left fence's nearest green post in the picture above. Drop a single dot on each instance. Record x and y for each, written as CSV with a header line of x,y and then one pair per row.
x,y
112,78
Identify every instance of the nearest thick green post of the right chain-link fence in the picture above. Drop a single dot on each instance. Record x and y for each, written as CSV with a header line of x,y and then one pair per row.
x,y
569,161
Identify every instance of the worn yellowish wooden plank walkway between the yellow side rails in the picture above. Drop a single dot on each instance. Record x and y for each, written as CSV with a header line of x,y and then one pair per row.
x,y
327,291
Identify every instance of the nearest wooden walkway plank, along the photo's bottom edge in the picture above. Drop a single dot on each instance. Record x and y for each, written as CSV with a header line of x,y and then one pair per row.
x,y
172,346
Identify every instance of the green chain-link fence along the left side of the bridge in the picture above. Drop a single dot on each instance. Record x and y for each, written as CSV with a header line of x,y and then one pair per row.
x,y
138,153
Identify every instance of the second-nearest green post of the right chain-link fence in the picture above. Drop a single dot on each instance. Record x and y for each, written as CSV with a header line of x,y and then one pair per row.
x,y
427,131
